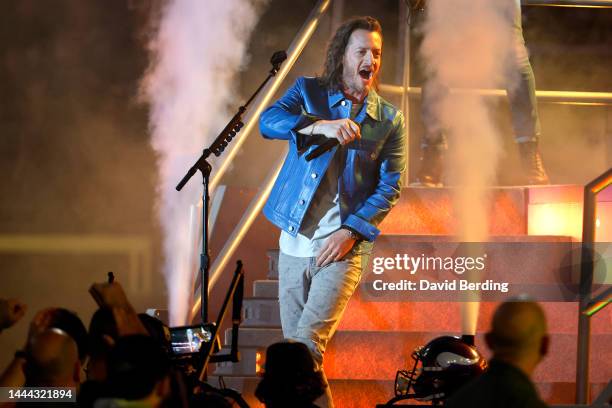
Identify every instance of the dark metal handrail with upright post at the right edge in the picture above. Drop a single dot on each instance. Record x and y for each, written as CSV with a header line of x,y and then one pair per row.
x,y
586,310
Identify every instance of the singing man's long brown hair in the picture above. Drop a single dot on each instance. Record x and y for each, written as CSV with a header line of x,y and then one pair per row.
x,y
332,69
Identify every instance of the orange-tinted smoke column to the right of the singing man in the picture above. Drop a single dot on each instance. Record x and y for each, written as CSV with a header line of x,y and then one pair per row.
x,y
466,45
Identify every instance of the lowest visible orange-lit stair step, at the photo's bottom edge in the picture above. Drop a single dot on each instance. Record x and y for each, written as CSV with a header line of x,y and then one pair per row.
x,y
368,393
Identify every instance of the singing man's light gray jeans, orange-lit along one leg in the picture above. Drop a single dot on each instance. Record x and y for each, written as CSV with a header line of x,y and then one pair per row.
x,y
313,299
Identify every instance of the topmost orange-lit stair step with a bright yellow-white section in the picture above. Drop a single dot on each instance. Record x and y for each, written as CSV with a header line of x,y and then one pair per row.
x,y
519,210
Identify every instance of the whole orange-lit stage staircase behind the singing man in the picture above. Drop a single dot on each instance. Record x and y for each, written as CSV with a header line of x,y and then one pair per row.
x,y
376,338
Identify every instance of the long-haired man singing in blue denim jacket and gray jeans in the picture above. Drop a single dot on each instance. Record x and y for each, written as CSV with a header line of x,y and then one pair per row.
x,y
328,208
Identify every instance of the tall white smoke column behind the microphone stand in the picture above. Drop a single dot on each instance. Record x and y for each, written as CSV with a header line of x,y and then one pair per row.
x,y
196,52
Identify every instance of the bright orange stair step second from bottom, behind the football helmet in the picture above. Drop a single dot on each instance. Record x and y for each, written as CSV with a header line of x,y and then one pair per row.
x,y
378,355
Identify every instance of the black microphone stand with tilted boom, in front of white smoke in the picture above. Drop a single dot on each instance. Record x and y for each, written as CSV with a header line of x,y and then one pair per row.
x,y
217,147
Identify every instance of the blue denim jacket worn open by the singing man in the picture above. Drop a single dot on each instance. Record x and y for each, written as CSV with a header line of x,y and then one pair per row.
x,y
371,168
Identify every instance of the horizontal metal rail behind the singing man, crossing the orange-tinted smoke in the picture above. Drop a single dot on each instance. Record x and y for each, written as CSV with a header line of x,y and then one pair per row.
x,y
571,97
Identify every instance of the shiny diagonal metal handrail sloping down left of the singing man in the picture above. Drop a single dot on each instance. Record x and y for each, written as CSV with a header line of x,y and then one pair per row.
x,y
295,49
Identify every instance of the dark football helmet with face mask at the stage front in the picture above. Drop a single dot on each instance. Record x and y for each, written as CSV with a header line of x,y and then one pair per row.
x,y
440,367
